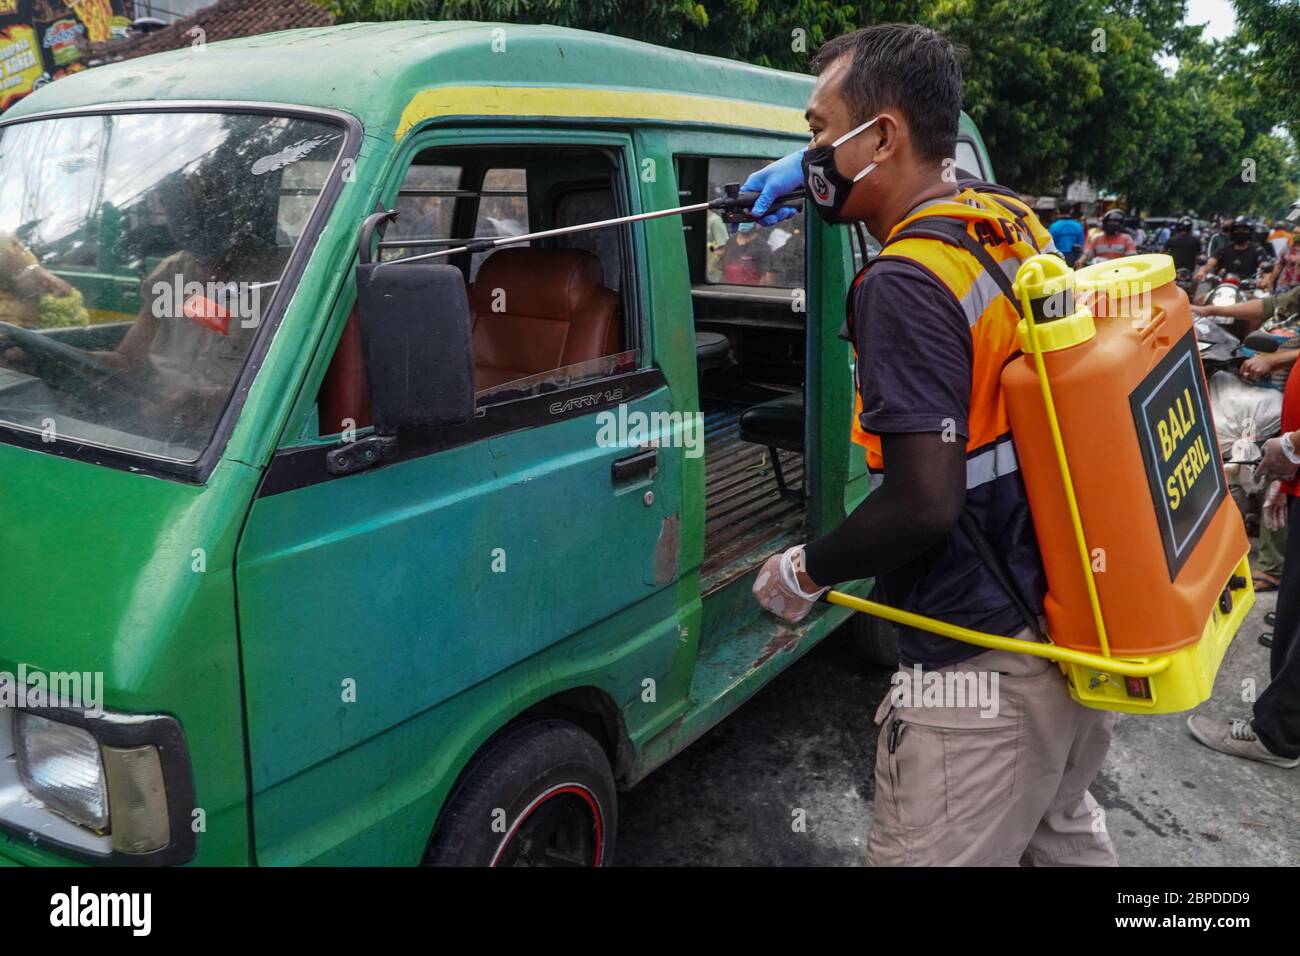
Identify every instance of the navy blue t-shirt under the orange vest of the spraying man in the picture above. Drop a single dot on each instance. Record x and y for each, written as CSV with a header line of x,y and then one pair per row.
x,y
916,357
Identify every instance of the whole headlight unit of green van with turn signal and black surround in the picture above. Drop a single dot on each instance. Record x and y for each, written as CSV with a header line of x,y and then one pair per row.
x,y
116,788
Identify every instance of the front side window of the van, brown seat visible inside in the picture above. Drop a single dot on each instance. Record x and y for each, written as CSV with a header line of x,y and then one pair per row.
x,y
547,314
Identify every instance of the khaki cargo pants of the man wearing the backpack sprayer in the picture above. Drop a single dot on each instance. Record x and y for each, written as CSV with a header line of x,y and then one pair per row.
x,y
960,789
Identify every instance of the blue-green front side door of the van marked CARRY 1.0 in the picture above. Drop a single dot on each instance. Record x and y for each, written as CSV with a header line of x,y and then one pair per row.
x,y
391,618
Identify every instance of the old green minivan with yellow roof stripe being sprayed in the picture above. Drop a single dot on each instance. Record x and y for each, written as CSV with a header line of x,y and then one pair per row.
x,y
327,559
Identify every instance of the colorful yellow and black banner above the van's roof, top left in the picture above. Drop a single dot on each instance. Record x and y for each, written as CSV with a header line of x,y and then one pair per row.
x,y
46,40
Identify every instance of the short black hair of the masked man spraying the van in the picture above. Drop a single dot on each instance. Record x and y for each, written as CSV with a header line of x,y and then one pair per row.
x,y
911,68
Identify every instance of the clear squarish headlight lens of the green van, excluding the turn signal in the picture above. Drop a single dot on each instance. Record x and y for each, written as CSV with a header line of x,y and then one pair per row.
x,y
60,767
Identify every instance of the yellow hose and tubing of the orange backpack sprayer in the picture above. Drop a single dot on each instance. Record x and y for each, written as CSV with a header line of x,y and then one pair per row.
x,y
1103,661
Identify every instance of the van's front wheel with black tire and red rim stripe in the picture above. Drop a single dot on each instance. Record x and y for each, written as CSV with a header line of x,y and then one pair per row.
x,y
541,764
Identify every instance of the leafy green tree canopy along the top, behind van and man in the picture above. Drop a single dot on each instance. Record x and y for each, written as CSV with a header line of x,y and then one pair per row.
x,y
1059,88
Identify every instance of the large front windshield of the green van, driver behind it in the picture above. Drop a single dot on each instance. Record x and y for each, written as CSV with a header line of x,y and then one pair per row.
x,y
138,256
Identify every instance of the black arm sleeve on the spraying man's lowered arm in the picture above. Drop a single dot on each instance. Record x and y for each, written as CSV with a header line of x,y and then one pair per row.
x,y
917,505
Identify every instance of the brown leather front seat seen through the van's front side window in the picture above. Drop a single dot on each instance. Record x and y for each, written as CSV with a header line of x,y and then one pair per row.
x,y
553,312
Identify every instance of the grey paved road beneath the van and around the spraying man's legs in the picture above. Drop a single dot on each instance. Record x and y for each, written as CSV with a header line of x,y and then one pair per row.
x,y
807,743
